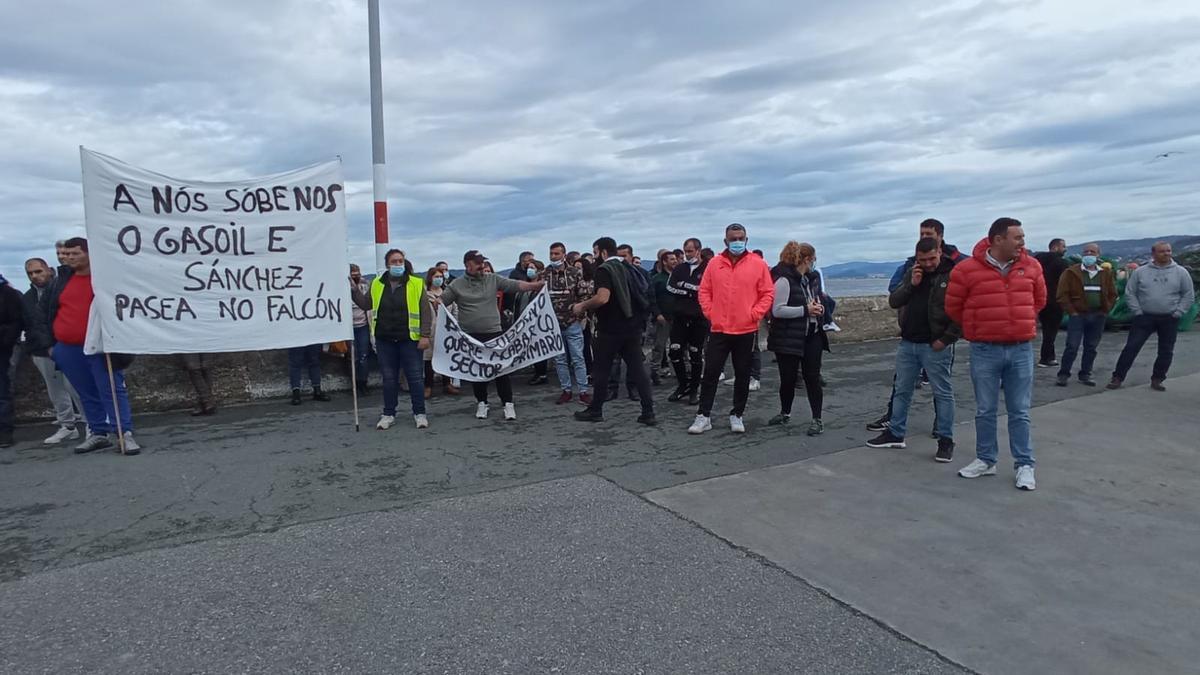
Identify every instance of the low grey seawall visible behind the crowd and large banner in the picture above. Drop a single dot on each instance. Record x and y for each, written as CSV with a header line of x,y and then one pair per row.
x,y
160,384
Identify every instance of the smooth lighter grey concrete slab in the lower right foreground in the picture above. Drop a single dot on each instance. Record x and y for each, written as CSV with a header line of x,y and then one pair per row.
x,y
1099,571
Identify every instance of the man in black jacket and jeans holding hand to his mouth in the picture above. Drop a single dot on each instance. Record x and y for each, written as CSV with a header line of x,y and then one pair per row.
x,y
927,343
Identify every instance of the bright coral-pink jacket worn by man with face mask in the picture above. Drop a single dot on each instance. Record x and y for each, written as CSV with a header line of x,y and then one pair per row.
x,y
735,296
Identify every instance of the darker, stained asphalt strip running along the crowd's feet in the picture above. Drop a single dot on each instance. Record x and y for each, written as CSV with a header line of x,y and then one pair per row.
x,y
267,467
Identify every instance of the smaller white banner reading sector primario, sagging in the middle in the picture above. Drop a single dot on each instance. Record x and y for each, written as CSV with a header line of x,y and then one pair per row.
x,y
535,337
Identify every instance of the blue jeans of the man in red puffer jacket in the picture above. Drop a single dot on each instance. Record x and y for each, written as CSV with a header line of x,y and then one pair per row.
x,y
1009,368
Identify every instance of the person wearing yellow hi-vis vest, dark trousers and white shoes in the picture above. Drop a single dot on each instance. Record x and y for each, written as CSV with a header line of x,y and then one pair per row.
x,y
401,325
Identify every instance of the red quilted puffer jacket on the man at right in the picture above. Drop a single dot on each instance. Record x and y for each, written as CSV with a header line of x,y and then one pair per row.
x,y
994,308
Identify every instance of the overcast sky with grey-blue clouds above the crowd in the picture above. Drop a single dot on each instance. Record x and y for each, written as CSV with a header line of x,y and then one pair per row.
x,y
514,124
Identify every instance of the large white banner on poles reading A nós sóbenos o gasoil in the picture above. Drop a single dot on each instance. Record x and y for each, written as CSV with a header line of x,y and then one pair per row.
x,y
191,267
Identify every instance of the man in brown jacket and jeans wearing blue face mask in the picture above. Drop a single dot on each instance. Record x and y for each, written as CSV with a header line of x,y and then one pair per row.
x,y
1087,292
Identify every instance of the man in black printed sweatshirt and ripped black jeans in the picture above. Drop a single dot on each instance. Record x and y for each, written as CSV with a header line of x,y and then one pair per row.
x,y
689,331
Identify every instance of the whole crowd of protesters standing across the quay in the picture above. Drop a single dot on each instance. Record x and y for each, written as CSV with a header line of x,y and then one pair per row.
x,y
695,310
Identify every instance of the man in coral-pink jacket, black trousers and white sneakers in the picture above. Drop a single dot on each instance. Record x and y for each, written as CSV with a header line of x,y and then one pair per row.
x,y
735,295
